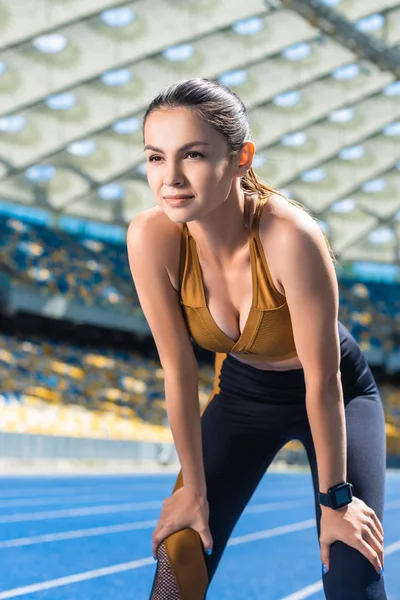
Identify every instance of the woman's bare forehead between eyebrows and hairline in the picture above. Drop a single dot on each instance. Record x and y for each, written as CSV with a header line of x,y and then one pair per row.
x,y
170,127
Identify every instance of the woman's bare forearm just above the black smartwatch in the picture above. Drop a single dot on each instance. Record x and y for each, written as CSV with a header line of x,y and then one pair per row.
x,y
326,416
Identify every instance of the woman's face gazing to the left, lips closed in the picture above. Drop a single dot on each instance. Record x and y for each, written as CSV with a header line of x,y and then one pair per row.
x,y
188,168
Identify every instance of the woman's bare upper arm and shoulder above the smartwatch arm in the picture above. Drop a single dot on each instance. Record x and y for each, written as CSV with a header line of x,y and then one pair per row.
x,y
308,276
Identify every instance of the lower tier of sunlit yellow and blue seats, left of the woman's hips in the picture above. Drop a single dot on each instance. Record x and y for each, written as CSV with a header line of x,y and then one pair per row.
x,y
62,389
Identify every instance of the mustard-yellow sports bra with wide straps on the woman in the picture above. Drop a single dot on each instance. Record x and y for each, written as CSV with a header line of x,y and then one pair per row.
x,y
267,334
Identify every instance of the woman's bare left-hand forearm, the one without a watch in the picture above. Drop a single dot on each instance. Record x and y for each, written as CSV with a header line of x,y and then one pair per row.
x,y
183,409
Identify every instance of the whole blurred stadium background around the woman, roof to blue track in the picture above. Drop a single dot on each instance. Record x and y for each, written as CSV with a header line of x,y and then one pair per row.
x,y
82,389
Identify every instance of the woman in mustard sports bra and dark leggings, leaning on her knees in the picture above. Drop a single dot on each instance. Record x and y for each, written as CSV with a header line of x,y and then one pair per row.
x,y
249,275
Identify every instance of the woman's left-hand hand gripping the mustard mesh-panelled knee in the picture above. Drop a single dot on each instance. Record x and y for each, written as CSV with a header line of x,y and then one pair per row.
x,y
185,508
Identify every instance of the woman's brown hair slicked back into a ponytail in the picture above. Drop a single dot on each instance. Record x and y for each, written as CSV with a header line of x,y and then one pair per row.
x,y
225,111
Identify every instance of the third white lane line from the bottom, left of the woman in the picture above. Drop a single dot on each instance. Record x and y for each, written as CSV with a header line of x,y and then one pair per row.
x,y
78,512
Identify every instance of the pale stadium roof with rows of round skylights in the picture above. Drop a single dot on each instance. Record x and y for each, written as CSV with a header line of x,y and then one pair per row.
x,y
76,77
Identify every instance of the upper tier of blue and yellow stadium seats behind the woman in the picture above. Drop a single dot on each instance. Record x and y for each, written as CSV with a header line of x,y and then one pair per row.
x,y
98,274
